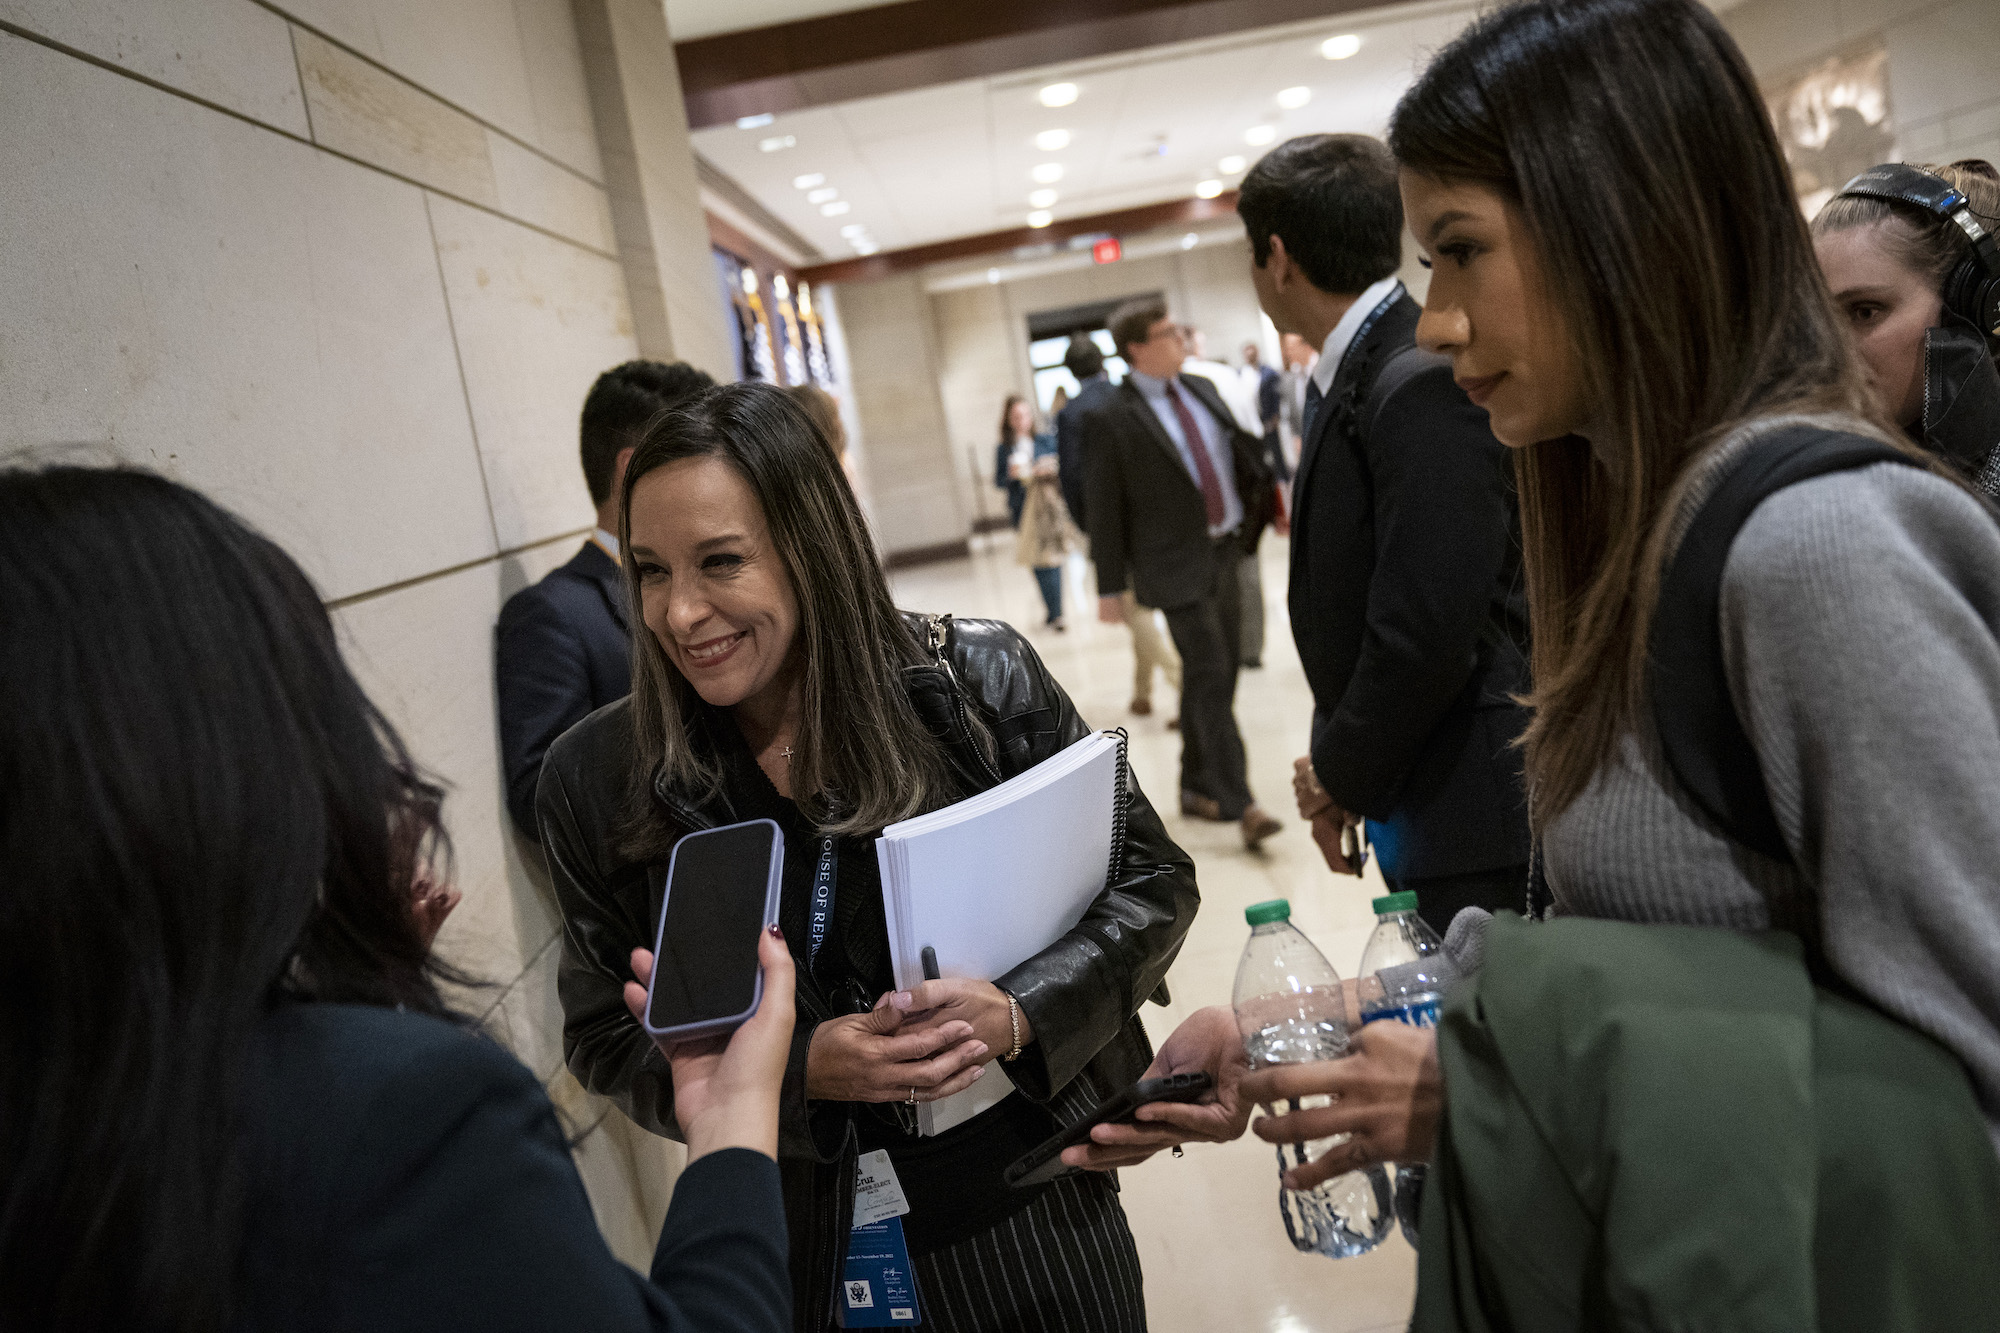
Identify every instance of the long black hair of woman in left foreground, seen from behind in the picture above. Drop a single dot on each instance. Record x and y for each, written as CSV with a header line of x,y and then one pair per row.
x,y
201,816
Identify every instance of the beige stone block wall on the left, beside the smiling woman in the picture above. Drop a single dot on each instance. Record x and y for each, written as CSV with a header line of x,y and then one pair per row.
x,y
349,267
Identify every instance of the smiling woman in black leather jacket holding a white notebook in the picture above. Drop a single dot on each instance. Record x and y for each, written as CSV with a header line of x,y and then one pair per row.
x,y
773,678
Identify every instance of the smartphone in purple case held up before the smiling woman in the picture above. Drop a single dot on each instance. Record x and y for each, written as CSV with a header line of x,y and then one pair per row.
x,y
721,896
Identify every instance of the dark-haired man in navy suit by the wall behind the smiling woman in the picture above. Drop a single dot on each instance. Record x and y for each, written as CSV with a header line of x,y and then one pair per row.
x,y
563,647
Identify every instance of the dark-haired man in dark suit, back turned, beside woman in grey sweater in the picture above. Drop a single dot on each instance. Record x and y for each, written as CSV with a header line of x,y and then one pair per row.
x,y
1407,597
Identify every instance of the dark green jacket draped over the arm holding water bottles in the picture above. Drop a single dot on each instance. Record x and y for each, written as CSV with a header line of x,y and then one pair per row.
x,y
1671,1128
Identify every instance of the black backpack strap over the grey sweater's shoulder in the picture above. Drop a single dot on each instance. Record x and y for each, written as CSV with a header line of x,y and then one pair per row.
x,y
1705,742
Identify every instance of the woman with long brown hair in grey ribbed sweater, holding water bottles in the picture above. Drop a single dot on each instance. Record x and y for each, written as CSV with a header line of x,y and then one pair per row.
x,y
1625,283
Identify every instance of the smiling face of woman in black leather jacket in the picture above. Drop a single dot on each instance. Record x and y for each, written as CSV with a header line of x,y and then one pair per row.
x,y
713,585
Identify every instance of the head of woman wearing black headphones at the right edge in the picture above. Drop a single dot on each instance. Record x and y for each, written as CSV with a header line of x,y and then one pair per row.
x,y
1887,265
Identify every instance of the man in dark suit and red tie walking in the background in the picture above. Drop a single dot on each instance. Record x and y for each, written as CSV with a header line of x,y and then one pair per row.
x,y
1175,495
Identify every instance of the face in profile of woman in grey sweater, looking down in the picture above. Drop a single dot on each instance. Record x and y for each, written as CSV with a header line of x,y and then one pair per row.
x,y
1491,311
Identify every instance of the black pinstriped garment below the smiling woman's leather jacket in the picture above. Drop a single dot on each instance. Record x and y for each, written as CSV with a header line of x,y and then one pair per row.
x,y
1065,1264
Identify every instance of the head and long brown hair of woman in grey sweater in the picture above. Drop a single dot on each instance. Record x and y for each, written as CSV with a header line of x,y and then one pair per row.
x,y
1619,273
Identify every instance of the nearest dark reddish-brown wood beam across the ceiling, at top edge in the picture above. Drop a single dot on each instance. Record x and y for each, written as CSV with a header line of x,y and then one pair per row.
x,y
925,43
